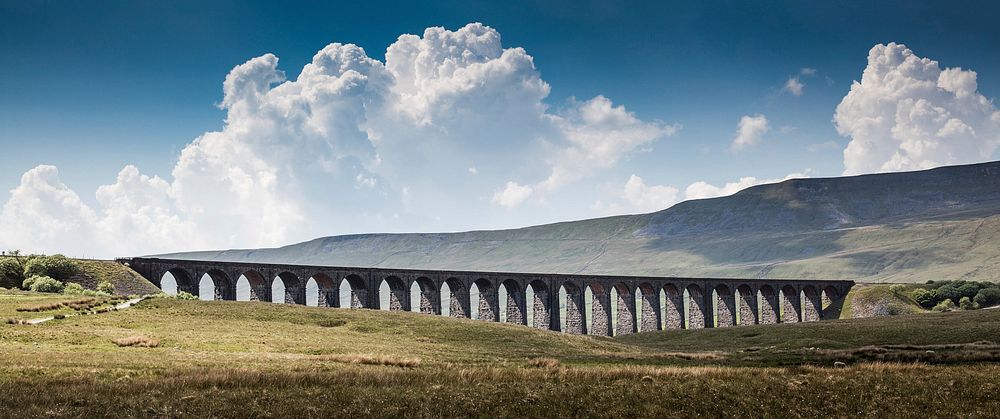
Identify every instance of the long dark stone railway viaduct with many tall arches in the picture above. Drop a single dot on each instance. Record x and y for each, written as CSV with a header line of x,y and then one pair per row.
x,y
665,302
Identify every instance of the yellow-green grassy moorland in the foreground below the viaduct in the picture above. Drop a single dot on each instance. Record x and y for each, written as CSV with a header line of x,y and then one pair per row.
x,y
259,359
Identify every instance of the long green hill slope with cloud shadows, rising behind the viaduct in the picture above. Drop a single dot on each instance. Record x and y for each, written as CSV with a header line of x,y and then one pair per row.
x,y
941,223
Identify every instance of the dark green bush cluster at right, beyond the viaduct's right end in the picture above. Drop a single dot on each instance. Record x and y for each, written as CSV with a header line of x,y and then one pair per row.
x,y
970,295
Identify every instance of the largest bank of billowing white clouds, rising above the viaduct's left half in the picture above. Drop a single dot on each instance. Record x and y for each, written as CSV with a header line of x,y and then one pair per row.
x,y
331,149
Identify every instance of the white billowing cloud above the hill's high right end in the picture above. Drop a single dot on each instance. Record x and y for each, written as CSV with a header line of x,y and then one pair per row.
x,y
907,113
